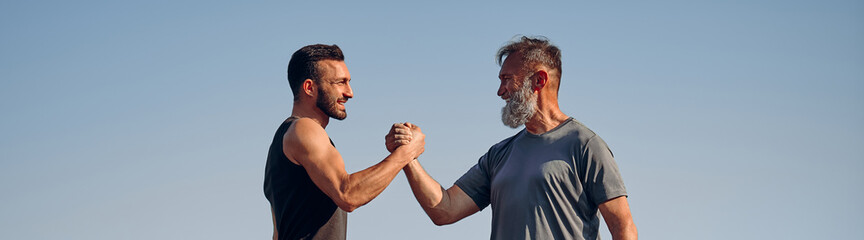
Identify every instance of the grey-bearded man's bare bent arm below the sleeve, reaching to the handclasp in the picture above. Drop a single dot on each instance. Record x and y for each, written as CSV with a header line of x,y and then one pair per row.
x,y
442,206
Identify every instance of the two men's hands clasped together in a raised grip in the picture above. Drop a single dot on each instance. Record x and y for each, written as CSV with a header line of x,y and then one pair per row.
x,y
406,135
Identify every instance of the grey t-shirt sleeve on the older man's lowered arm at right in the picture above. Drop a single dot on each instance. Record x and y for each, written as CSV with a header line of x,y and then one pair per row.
x,y
603,180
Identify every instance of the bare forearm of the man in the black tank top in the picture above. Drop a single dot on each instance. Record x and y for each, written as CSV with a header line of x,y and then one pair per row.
x,y
363,186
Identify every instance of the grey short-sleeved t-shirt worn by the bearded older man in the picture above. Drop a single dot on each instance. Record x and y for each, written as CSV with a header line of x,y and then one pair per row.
x,y
545,186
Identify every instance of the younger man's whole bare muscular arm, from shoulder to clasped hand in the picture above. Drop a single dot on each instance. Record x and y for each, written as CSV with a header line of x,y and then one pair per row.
x,y
307,143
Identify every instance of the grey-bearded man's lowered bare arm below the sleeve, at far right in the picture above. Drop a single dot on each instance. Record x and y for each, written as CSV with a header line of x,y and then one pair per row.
x,y
616,212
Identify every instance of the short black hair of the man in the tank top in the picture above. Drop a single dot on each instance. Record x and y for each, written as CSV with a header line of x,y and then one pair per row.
x,y
303,64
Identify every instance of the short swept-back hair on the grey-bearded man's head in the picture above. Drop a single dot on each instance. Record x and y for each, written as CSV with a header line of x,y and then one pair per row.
x,y
534,50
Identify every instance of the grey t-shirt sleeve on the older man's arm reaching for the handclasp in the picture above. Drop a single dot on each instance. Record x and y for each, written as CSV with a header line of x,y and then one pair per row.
x,y
476,182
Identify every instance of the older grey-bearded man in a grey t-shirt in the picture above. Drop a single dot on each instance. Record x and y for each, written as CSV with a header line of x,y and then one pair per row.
x,y
552,180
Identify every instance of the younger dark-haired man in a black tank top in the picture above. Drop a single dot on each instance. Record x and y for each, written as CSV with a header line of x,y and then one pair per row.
x,y
305,180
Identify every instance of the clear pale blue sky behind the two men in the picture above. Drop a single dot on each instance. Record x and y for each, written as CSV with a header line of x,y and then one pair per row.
x,y
151,119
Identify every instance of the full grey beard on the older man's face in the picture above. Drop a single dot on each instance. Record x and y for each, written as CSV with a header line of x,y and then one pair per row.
x,y
520,107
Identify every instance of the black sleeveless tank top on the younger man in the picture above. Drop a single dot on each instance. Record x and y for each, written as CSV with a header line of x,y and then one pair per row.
x,y
301,210
